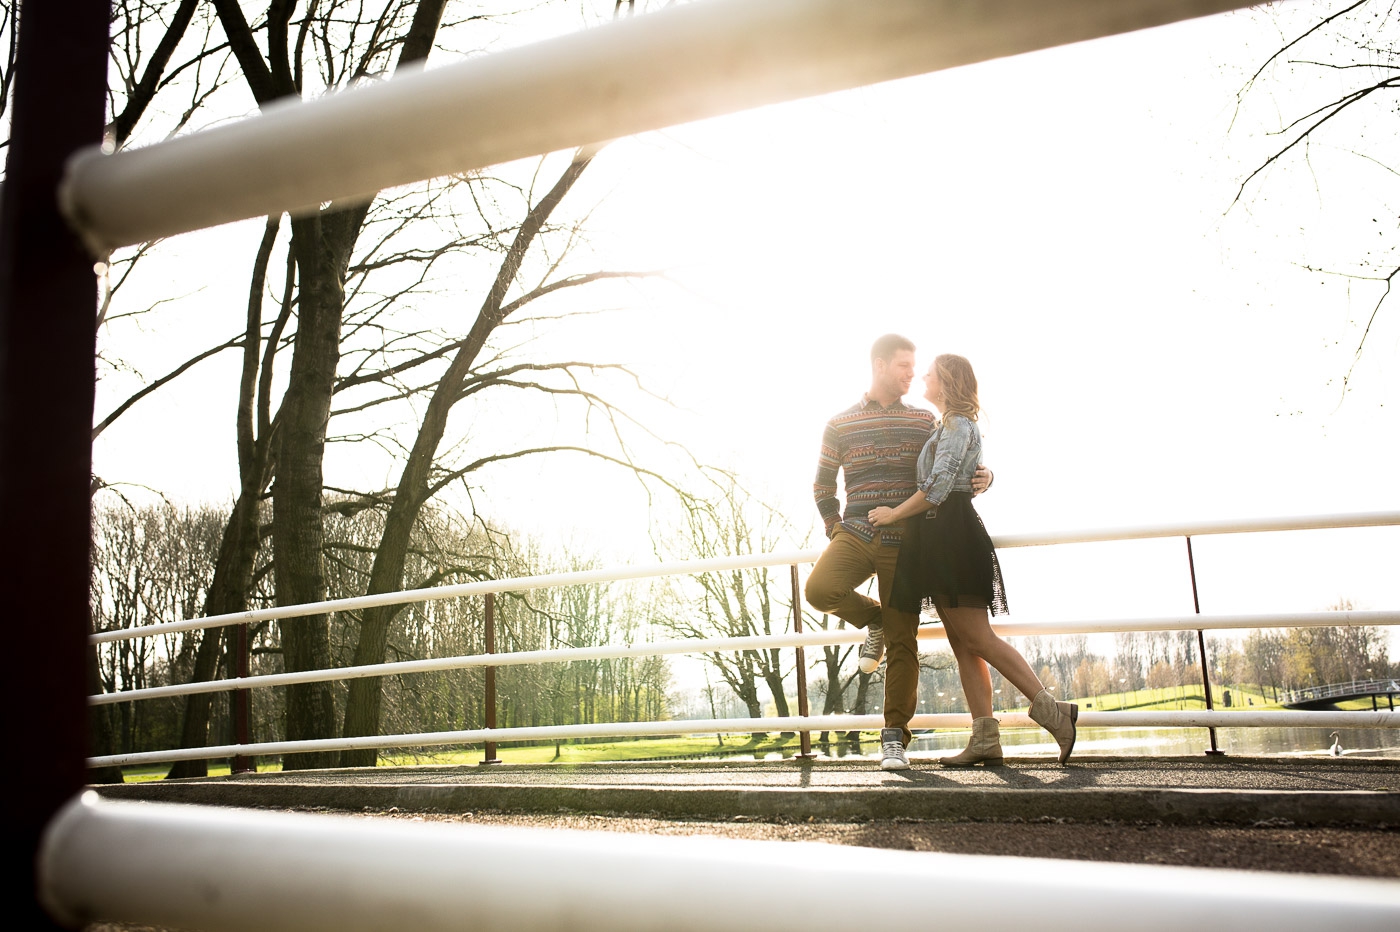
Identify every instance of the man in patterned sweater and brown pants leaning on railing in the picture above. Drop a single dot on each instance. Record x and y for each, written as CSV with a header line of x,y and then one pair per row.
x,y
876,444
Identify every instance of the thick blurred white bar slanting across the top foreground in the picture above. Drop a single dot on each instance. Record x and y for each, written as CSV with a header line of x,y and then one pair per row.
x,y
680,65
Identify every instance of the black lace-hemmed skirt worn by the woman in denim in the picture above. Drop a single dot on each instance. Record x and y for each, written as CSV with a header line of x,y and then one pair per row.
x,y
948,559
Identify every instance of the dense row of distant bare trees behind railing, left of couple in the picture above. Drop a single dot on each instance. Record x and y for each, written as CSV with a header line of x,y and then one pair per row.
x,y
156,563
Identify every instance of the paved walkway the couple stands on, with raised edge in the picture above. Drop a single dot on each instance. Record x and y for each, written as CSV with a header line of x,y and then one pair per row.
x,y
1174,791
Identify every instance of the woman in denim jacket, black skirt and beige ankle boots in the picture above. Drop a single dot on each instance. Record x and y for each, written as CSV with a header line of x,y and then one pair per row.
x,y
947,563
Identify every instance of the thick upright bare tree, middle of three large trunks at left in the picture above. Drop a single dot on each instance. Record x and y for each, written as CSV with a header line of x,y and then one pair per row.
x,y
323,244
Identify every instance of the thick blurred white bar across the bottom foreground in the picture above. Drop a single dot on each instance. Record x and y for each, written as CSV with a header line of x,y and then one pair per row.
x,y
223,870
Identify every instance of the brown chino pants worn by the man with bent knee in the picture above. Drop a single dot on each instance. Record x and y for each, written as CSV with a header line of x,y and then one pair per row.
x,y
846,565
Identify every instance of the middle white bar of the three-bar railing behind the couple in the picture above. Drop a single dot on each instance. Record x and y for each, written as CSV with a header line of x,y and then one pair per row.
x,y
751,643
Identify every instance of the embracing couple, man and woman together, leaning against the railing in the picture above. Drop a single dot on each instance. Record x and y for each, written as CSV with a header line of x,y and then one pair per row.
x,y
909,523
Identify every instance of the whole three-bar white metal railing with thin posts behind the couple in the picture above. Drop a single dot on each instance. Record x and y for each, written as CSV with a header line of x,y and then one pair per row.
x,y
797,640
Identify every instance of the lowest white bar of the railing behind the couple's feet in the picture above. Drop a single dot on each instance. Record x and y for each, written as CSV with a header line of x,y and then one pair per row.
x,y
745,726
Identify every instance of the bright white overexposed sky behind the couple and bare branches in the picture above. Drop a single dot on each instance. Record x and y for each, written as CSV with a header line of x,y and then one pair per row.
x,y
1062,219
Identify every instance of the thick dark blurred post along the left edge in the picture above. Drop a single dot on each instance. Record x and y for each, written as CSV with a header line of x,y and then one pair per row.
x,y
48,344
